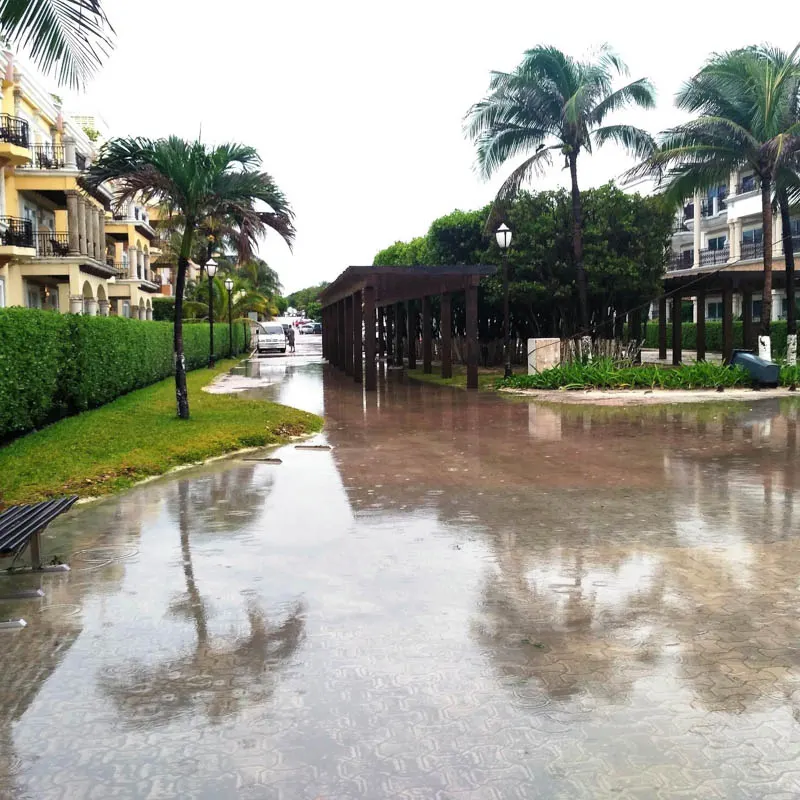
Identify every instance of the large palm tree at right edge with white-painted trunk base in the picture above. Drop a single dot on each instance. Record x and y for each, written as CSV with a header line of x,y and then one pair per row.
x,y
747,101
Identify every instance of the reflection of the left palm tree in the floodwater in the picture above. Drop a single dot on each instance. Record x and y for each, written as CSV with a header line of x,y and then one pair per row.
x,y
246,667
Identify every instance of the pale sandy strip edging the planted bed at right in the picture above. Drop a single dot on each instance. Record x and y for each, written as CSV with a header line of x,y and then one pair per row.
x,y
640,397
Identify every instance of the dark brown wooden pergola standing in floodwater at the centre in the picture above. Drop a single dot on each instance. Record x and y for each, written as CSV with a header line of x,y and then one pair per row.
x,y
380,301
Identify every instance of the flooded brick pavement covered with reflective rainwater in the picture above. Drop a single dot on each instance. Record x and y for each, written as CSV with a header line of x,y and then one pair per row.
x,y
466,597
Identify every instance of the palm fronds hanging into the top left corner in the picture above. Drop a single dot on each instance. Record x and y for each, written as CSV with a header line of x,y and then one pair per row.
x,y
66,38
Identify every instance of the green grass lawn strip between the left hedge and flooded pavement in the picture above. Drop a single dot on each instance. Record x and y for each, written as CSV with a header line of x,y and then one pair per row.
x,y
138,435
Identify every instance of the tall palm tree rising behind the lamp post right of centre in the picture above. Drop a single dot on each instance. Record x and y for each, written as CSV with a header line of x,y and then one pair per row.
x,y
552,102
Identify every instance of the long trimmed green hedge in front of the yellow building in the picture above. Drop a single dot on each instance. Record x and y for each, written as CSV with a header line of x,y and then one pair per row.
x,y
53,365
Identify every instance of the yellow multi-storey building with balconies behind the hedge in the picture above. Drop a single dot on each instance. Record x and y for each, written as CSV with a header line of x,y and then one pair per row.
x,y
61,248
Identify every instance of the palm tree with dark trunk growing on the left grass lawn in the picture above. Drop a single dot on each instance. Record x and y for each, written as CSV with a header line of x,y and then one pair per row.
x,y
196,182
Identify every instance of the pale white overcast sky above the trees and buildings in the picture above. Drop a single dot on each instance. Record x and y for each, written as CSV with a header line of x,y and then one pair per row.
x,y
356,106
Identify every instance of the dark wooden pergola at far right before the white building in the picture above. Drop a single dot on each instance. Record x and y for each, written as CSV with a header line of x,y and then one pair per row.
x,y
714,281
